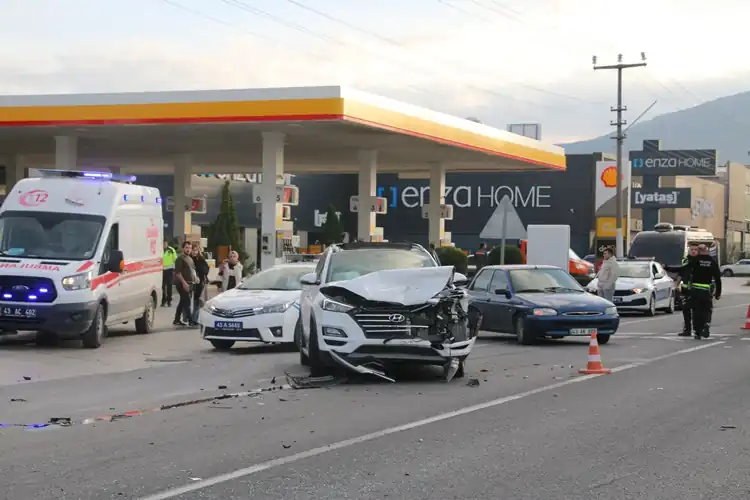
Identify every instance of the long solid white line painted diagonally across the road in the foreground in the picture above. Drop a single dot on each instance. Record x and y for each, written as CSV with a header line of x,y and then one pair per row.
x,y
263,466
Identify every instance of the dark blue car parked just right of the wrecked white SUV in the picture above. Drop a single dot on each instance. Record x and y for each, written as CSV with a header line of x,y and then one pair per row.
x,y
533,302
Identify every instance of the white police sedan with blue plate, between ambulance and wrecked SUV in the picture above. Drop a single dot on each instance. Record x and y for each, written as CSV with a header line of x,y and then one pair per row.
x,y
263,308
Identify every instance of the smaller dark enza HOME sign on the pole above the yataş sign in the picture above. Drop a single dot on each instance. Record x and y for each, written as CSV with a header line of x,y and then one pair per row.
x,y
675,162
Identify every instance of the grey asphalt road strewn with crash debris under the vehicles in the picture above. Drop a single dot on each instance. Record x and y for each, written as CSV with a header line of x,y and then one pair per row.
x,y
669,423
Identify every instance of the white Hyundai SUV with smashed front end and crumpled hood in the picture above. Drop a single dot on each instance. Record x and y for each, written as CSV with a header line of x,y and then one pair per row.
x,y
371,305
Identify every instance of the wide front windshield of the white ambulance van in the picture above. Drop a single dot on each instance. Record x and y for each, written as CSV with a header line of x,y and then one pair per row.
x,y
49,235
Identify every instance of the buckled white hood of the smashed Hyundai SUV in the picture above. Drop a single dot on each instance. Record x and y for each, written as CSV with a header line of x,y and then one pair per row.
x,y
408,287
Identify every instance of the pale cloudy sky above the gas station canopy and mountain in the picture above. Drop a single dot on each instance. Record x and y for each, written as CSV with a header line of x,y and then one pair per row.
x,y
501,61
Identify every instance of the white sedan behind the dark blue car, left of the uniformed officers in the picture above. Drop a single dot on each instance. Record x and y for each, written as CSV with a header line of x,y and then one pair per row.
x,y
643,286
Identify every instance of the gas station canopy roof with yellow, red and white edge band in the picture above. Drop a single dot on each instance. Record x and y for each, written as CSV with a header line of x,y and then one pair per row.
x,y
220,130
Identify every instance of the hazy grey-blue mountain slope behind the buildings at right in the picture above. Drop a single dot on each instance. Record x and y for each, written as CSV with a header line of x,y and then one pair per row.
x,y
722,124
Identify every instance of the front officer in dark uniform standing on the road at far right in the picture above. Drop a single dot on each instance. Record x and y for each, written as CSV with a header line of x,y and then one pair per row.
x,y
705,283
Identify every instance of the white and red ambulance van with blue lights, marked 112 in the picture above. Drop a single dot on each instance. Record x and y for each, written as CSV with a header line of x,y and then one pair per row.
x,y
79,252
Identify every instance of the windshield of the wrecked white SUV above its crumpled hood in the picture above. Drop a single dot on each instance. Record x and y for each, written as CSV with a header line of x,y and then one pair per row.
x,y
350,264
